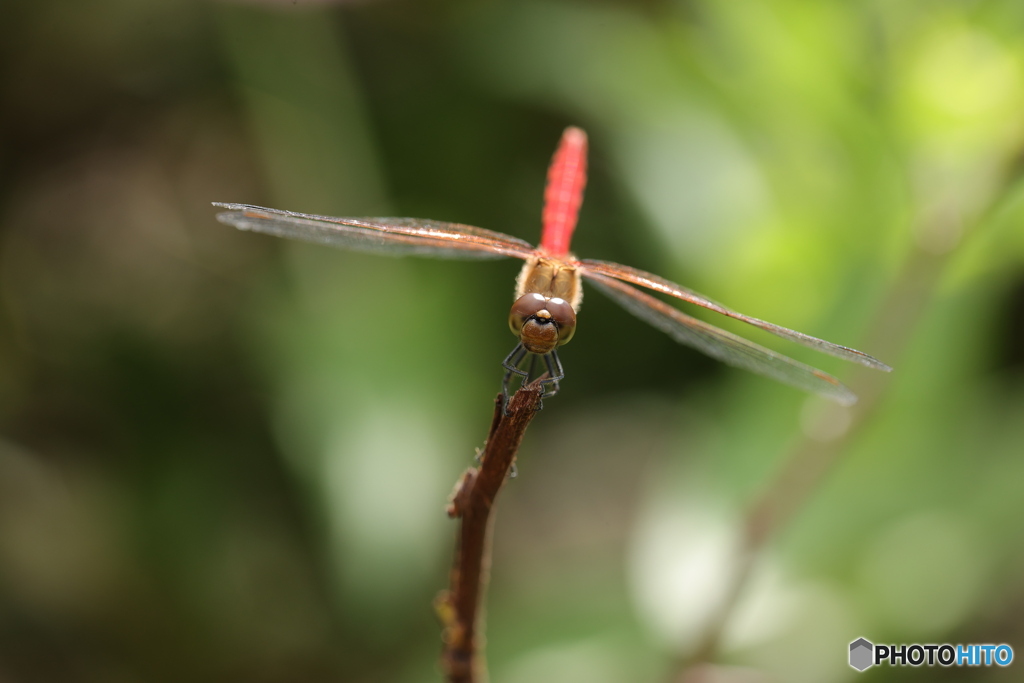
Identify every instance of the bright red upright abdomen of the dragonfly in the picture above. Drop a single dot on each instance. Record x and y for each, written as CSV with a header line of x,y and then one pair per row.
x,y
567,180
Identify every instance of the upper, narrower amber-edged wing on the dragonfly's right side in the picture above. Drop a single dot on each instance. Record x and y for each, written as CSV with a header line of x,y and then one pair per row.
x,y
658,284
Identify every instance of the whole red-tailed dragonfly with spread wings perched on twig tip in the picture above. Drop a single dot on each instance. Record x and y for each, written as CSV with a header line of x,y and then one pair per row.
x,y
549,289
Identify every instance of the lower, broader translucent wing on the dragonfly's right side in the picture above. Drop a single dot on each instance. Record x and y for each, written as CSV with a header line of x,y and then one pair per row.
x,y
720,345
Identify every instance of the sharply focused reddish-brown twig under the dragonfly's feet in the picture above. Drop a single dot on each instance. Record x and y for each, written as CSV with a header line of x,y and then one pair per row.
x,y
473,500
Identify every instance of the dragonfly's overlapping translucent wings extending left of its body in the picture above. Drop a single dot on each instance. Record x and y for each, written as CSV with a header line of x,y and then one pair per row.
x,y
397,237
